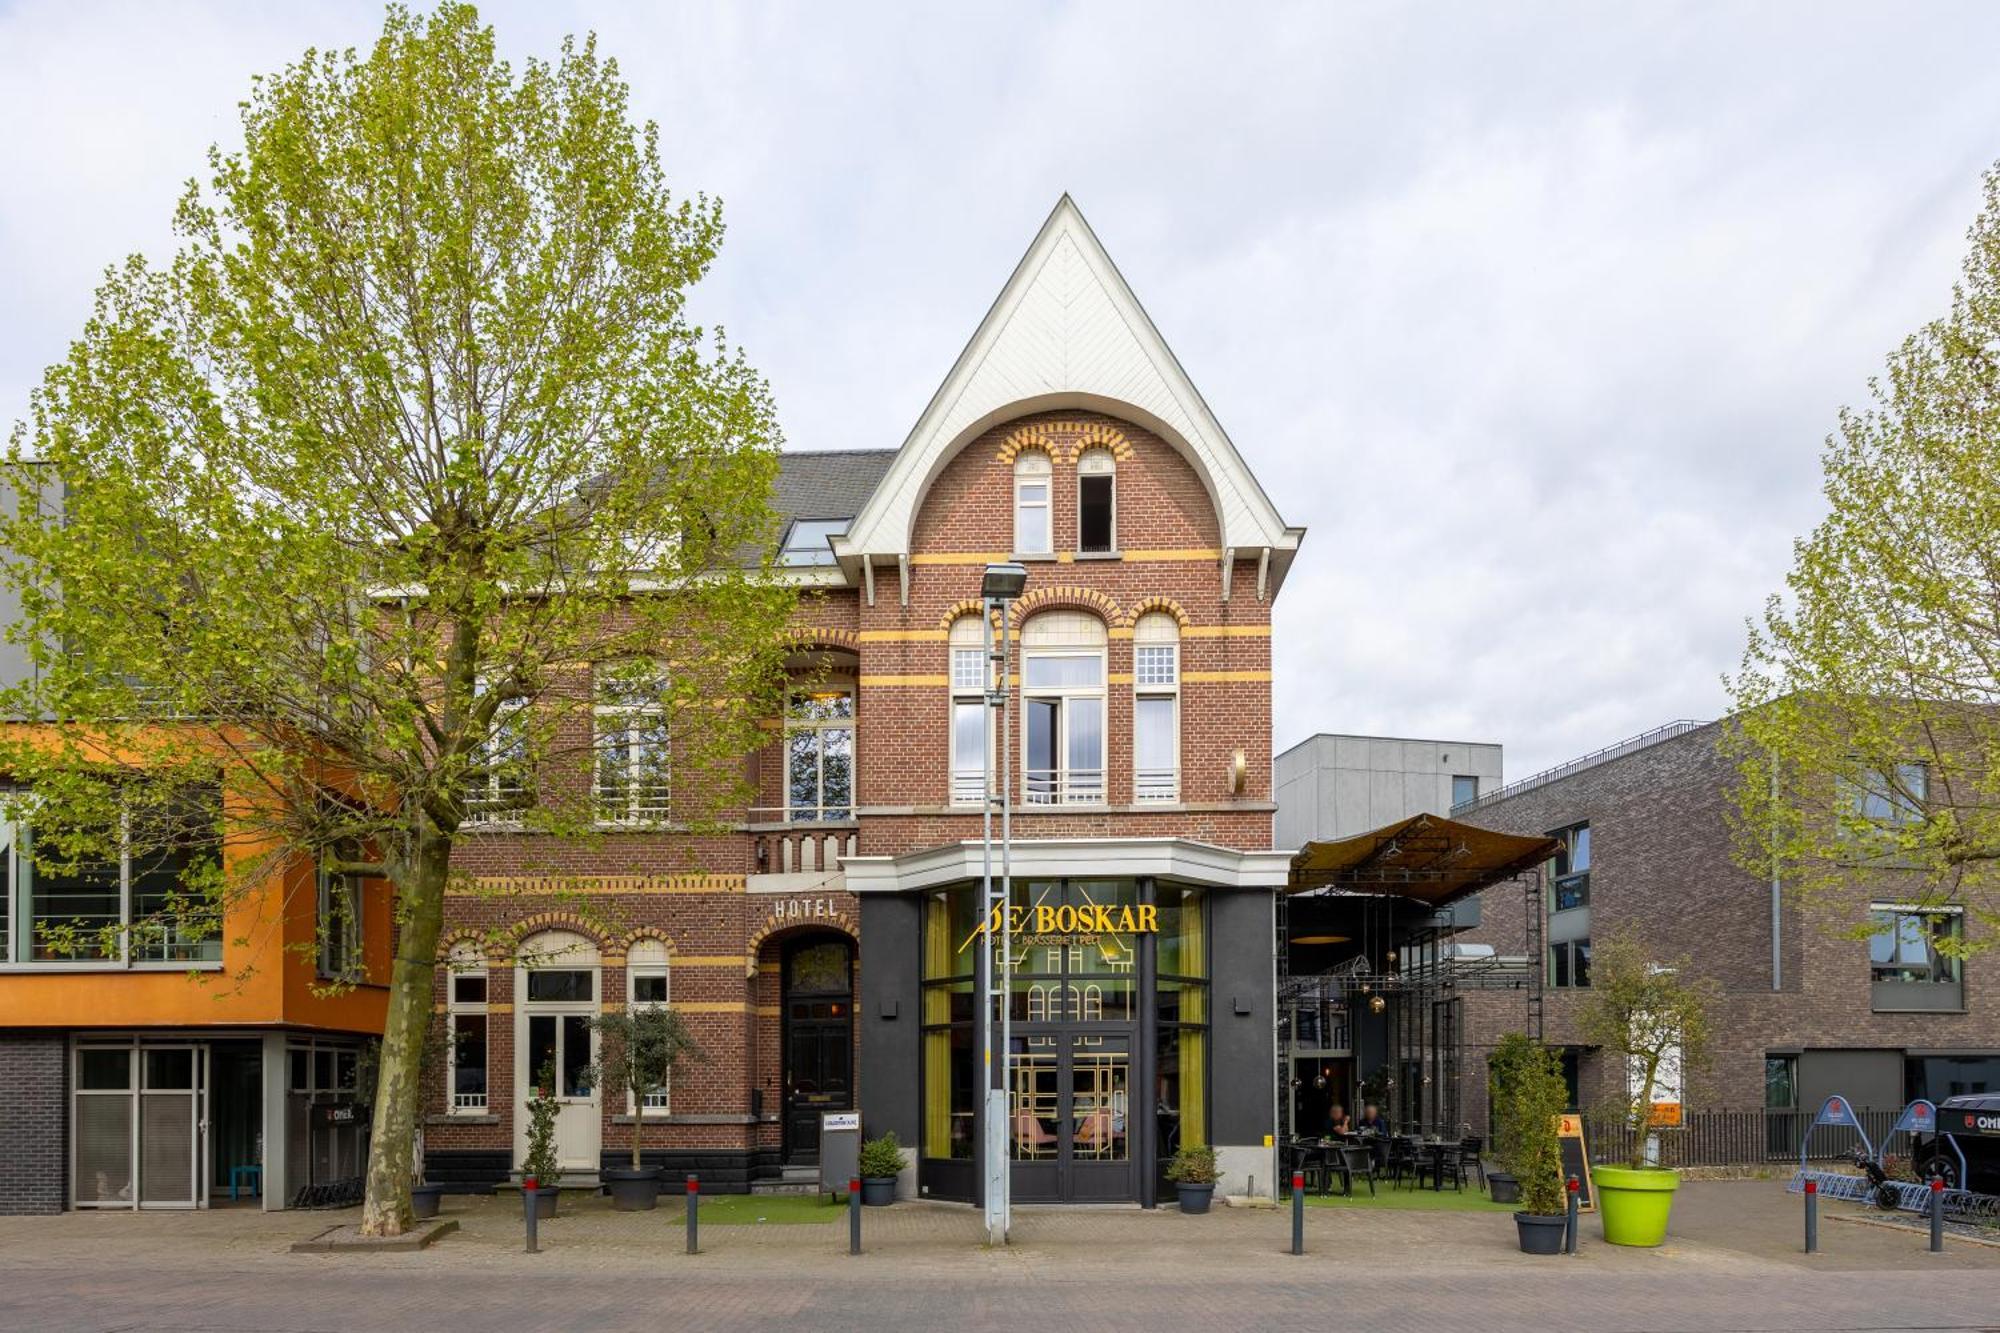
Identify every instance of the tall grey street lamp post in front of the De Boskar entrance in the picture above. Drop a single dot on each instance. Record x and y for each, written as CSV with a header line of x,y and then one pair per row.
x,y
1001,585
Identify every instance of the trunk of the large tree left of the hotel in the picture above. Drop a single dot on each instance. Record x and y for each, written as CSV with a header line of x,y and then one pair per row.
x,y
399,1088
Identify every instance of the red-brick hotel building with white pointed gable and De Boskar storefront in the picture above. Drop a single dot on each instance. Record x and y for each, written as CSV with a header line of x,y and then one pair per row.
x,y
801,942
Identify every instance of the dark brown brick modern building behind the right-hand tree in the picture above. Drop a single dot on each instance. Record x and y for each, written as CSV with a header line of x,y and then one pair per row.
x,y
1809,1008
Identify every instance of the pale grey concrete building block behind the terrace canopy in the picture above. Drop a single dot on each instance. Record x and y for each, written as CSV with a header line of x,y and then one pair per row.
x,y
1337,786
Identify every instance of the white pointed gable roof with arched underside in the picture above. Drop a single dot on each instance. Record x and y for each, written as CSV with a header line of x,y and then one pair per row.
x,y
1069,333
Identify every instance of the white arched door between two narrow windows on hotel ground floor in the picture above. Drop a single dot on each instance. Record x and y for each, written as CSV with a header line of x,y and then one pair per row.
x,y
557,998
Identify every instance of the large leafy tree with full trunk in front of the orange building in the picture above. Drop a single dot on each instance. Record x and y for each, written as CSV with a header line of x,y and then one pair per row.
x,y
385,479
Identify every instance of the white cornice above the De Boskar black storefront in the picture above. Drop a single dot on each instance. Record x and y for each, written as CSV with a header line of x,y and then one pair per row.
x,y
1181,860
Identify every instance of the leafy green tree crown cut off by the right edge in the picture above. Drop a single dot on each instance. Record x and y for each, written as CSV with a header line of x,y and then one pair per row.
x,y
1869,698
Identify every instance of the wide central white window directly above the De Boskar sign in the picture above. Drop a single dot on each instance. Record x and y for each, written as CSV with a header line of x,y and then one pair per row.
x,y
1063,710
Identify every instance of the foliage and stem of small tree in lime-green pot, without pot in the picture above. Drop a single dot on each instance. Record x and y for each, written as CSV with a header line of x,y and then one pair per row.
x,y
1653,1022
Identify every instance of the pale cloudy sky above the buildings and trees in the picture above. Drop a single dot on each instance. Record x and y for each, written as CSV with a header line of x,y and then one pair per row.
x,y
1535,315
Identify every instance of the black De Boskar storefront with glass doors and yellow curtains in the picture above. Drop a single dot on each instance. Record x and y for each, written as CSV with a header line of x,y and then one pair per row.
x,y
1117,1056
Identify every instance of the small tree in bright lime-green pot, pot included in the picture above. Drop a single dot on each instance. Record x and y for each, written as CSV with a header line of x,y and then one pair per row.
x,y
1653,1022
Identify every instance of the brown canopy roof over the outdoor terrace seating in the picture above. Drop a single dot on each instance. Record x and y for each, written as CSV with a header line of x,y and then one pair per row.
x,y
1427,860
